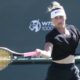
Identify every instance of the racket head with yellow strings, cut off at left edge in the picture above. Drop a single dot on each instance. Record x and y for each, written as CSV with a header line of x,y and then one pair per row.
x,y
5,58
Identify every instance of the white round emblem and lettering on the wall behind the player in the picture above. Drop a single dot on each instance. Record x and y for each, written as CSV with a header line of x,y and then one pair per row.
x,y
37,25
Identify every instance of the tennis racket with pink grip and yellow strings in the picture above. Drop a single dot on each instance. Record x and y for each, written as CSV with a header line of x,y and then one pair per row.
x,y
7,56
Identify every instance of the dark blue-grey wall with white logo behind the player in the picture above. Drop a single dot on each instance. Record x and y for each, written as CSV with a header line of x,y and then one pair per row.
x,y
23,26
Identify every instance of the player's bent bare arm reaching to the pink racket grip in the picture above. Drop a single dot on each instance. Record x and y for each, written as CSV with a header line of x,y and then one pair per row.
x,y
46,53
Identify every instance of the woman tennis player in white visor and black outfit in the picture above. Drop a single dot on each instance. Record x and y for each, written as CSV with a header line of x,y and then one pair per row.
x,y
60,44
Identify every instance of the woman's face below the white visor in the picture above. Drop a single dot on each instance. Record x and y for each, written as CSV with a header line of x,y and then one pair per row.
x,y
58,21
